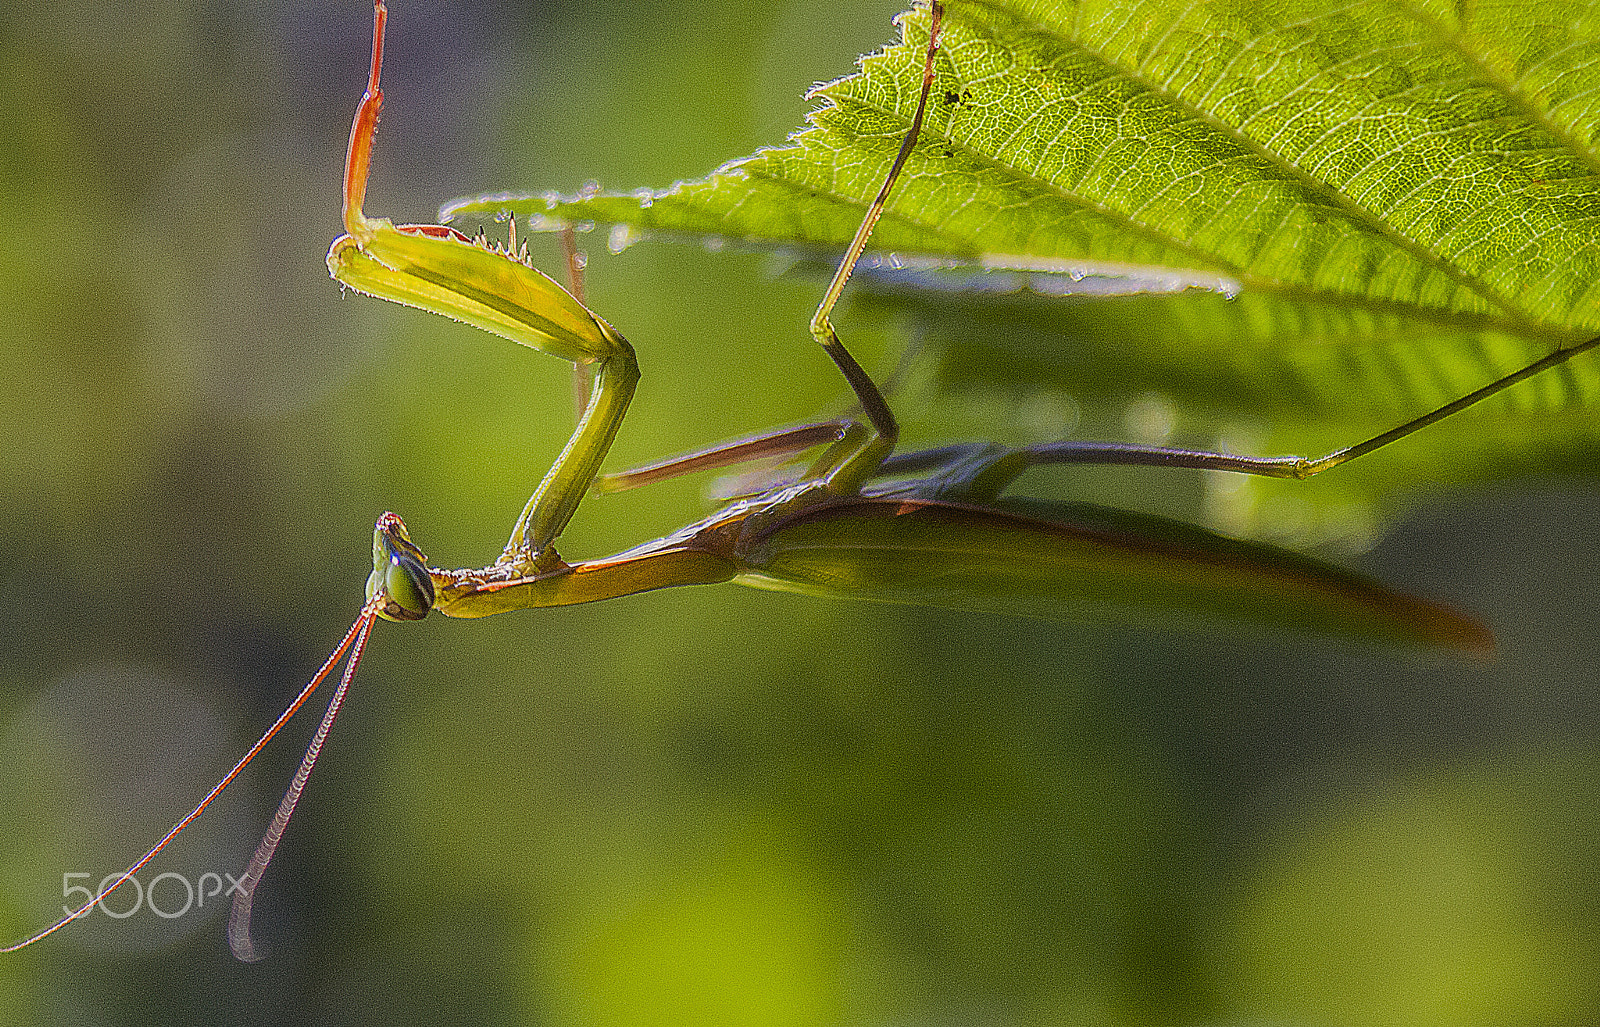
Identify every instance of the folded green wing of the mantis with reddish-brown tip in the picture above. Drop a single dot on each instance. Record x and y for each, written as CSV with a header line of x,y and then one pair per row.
x,y
1084,562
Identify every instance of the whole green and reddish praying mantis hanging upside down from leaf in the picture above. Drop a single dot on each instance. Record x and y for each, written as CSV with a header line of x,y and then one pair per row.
x,y
858,521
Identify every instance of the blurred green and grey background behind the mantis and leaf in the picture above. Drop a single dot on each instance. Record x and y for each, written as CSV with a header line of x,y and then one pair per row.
x,y
698,807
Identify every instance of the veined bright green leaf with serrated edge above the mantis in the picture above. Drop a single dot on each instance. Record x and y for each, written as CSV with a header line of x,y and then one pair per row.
x,y
1303,218
